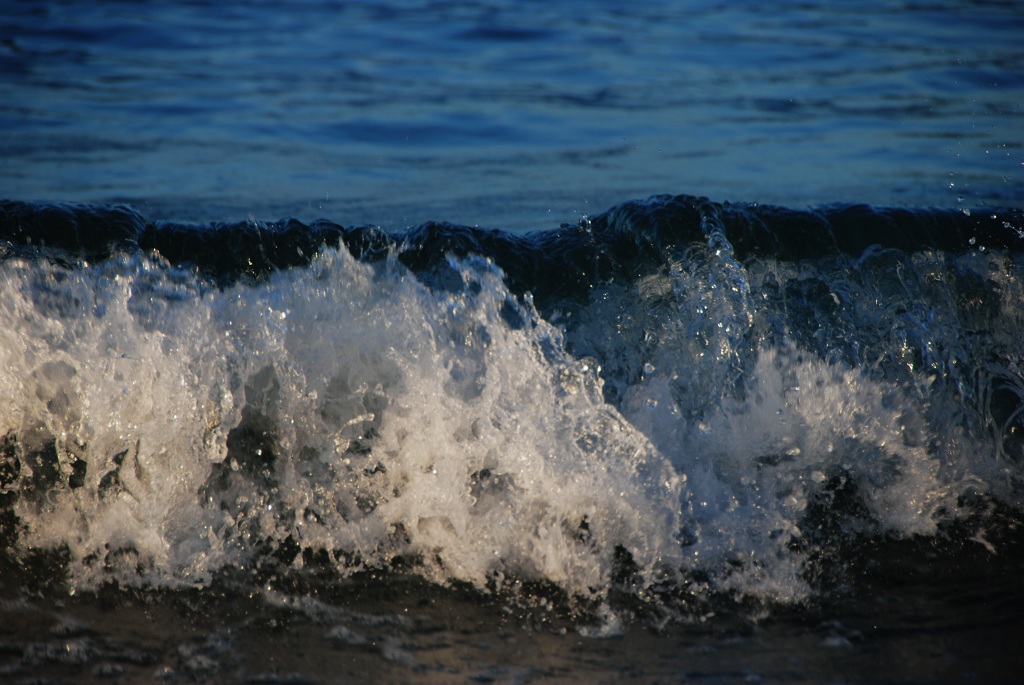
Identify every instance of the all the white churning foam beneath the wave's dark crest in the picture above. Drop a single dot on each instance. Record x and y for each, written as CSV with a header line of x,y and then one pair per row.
x,y
352,408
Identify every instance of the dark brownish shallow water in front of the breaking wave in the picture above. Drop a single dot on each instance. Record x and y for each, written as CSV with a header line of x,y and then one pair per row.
x,y
904,626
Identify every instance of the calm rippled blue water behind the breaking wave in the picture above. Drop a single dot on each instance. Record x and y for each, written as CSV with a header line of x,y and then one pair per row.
x,y
505,114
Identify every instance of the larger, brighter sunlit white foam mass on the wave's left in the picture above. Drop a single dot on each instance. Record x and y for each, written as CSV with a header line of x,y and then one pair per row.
x,y
346,409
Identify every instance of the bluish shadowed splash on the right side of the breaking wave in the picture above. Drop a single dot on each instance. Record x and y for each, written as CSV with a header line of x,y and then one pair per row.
x,y
814,405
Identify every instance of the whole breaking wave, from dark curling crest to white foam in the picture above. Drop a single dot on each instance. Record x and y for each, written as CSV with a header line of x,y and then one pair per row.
x,y
674,401
